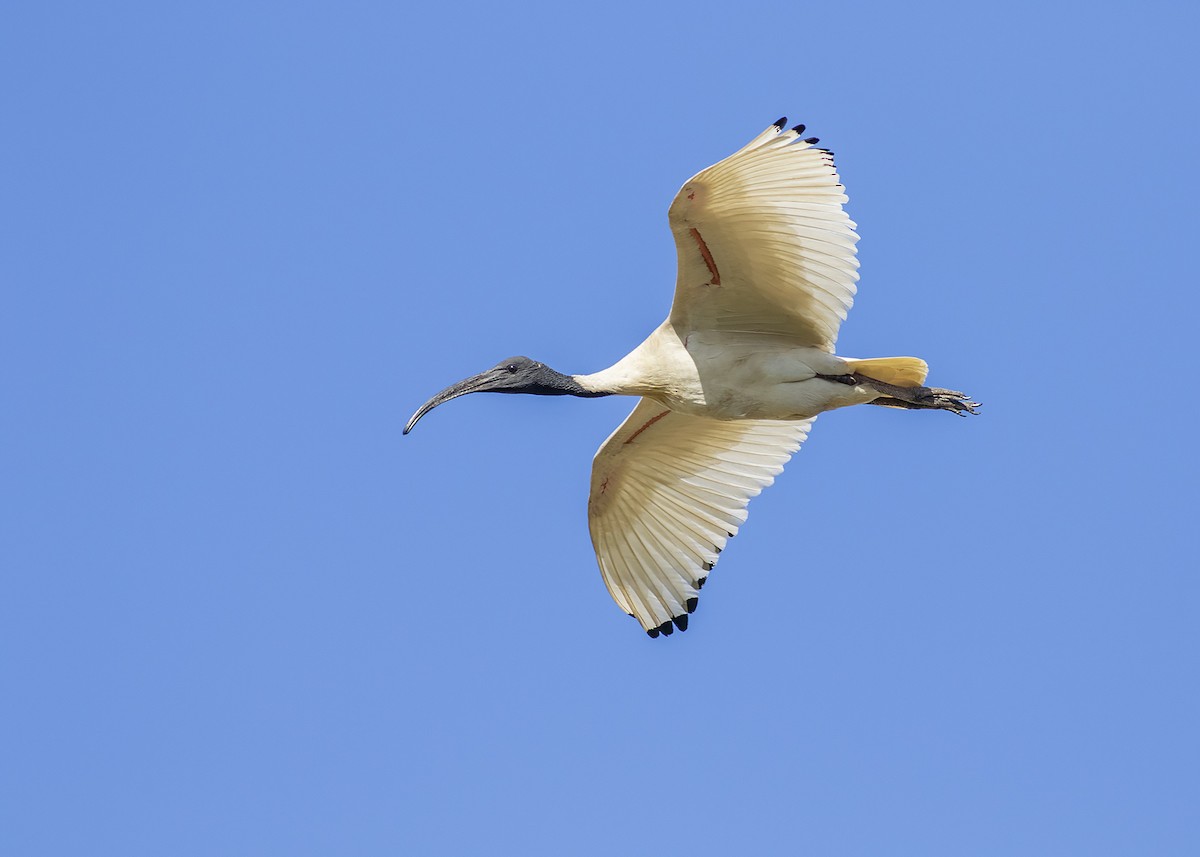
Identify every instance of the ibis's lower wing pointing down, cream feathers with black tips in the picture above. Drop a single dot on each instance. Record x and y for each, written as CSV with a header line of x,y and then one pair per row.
x,y
668,492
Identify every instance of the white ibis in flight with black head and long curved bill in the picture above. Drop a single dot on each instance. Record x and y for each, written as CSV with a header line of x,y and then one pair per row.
x,y
731,382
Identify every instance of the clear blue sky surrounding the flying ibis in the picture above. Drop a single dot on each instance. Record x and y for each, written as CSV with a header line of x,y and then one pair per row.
x,y
242,615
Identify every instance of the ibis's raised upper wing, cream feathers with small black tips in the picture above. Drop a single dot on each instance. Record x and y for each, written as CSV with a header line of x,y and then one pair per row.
x,y
764,243
